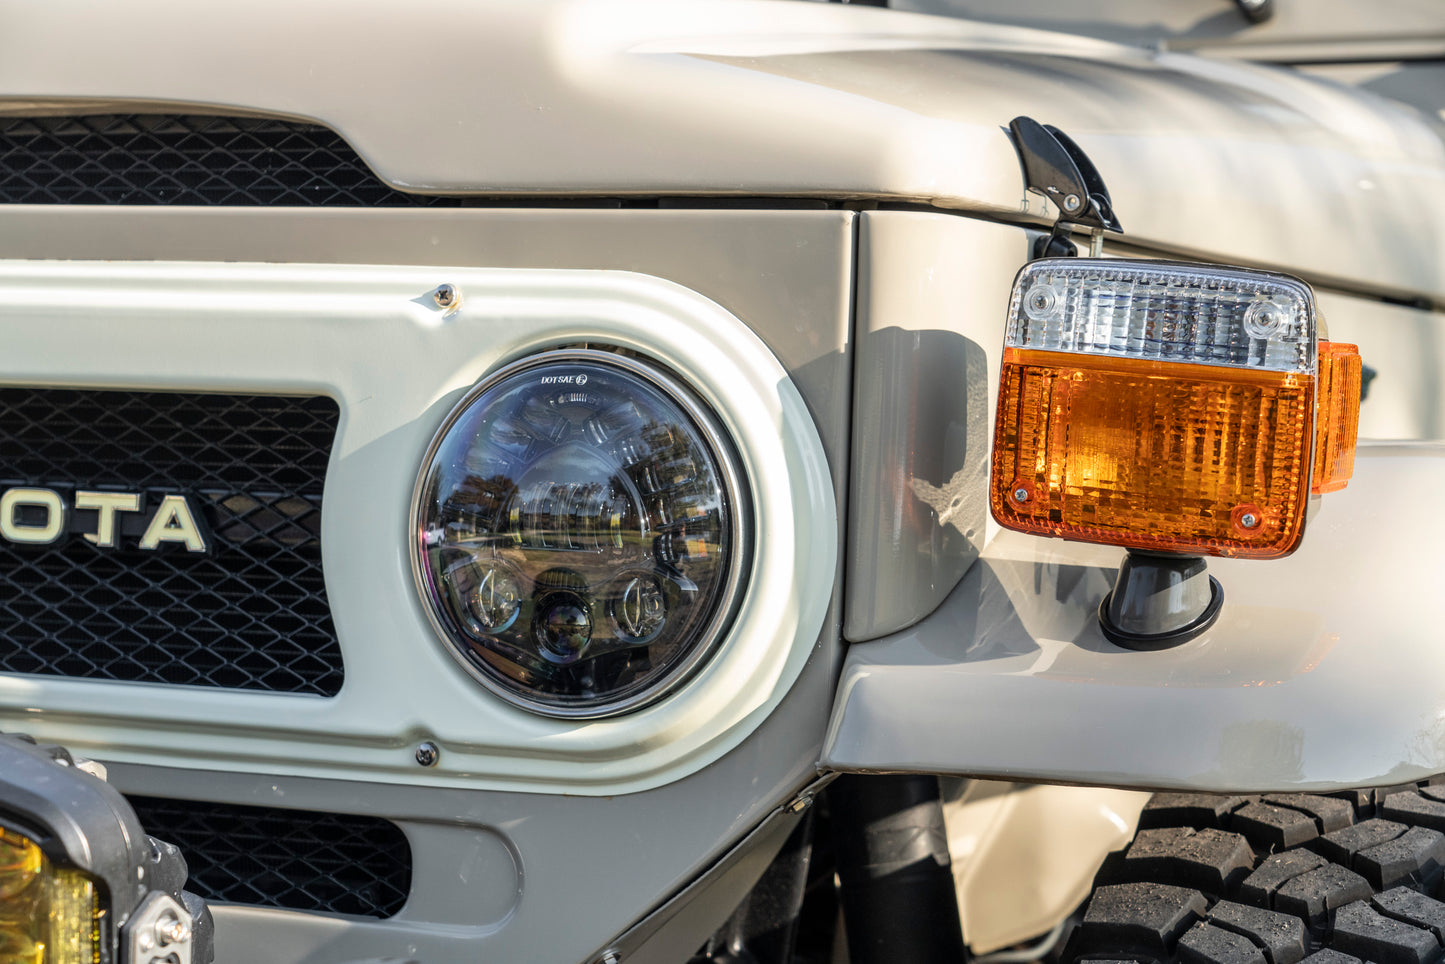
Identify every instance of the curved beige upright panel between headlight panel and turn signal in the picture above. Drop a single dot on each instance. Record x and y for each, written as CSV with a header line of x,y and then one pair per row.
x,y
933,297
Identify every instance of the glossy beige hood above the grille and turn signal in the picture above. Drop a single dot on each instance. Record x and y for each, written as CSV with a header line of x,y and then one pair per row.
x,y
774,99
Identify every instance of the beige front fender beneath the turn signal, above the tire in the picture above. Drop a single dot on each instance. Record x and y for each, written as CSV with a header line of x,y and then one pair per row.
x,y
1323,673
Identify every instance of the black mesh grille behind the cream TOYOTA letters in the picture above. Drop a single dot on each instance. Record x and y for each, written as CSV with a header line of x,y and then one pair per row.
x,y
251,615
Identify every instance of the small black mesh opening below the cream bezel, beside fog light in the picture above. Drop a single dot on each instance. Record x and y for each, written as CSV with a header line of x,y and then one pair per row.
x,y
284,858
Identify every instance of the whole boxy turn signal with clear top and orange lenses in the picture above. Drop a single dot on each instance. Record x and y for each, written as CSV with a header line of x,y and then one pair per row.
x,y
1177,408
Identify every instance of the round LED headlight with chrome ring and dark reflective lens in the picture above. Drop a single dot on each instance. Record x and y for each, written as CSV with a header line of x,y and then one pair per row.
x,y
580,533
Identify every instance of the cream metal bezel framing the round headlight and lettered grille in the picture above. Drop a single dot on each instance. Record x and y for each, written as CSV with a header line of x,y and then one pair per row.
x,y
374,339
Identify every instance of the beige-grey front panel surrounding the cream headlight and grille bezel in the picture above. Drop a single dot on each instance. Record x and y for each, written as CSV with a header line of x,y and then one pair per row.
x,y
493,868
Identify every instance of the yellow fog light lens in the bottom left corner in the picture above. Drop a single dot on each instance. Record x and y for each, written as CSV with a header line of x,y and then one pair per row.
x,y
48,914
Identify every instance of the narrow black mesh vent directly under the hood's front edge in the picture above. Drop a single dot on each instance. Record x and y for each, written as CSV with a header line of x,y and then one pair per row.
x,y
187,160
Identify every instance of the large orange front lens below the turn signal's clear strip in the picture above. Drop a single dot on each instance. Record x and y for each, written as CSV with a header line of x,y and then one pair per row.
x,y
1152,455
